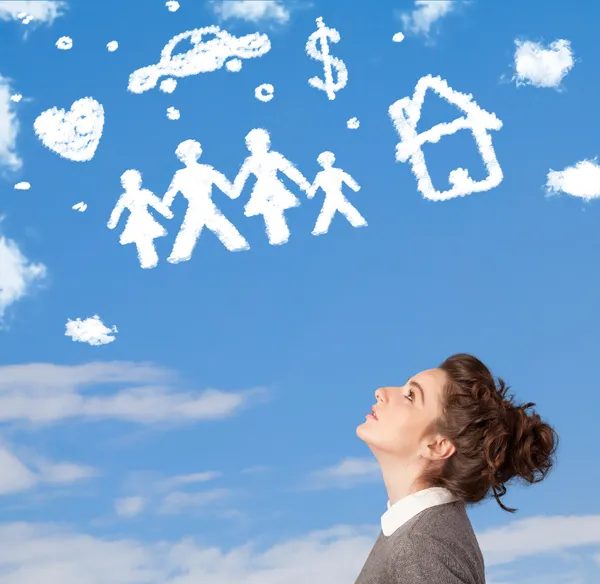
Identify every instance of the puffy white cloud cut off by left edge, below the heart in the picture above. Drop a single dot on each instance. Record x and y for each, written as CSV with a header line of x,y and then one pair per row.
x,y
17,274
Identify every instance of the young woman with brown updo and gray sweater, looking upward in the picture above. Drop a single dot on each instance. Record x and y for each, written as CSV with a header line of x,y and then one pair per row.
x,y
448,438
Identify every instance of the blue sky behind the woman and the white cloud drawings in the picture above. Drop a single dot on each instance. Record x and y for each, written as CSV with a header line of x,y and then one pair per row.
x,y
224,412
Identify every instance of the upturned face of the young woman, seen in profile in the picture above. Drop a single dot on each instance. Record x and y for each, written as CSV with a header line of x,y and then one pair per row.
x,y
404,416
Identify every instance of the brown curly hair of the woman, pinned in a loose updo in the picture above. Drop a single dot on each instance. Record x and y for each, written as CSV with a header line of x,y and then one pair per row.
x,y
495,439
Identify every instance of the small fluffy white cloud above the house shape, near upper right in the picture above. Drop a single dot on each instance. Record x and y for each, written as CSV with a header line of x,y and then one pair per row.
x,y
542,67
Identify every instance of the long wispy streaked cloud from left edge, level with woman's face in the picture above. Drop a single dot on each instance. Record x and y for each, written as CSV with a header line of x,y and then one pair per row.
x,y
42,392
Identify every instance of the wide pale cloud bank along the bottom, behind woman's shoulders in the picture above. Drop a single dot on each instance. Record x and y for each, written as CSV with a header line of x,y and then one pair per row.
x,y
46,553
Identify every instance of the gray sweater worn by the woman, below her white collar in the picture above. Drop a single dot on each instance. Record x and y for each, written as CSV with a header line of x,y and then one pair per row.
x,y
436,546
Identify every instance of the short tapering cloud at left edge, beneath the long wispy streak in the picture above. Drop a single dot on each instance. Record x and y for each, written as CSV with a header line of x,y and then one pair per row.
x,y
19,475
